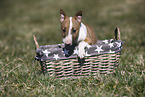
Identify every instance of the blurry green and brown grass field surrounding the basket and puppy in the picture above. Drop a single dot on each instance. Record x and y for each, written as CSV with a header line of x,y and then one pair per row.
x,y
20,19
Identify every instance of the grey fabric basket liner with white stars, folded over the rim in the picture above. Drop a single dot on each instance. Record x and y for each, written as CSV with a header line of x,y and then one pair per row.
x,y
60,51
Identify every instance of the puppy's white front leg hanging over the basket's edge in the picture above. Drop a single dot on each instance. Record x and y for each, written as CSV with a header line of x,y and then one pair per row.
x,y
81,49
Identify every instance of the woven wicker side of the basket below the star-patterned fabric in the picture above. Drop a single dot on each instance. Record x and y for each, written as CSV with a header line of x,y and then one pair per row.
x,y
94,65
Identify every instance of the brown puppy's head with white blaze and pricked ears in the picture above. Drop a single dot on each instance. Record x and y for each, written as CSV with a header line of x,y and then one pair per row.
x,y
70,27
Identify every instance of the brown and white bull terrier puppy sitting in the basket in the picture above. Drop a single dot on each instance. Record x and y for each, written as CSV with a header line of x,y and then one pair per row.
x,y
75,32
